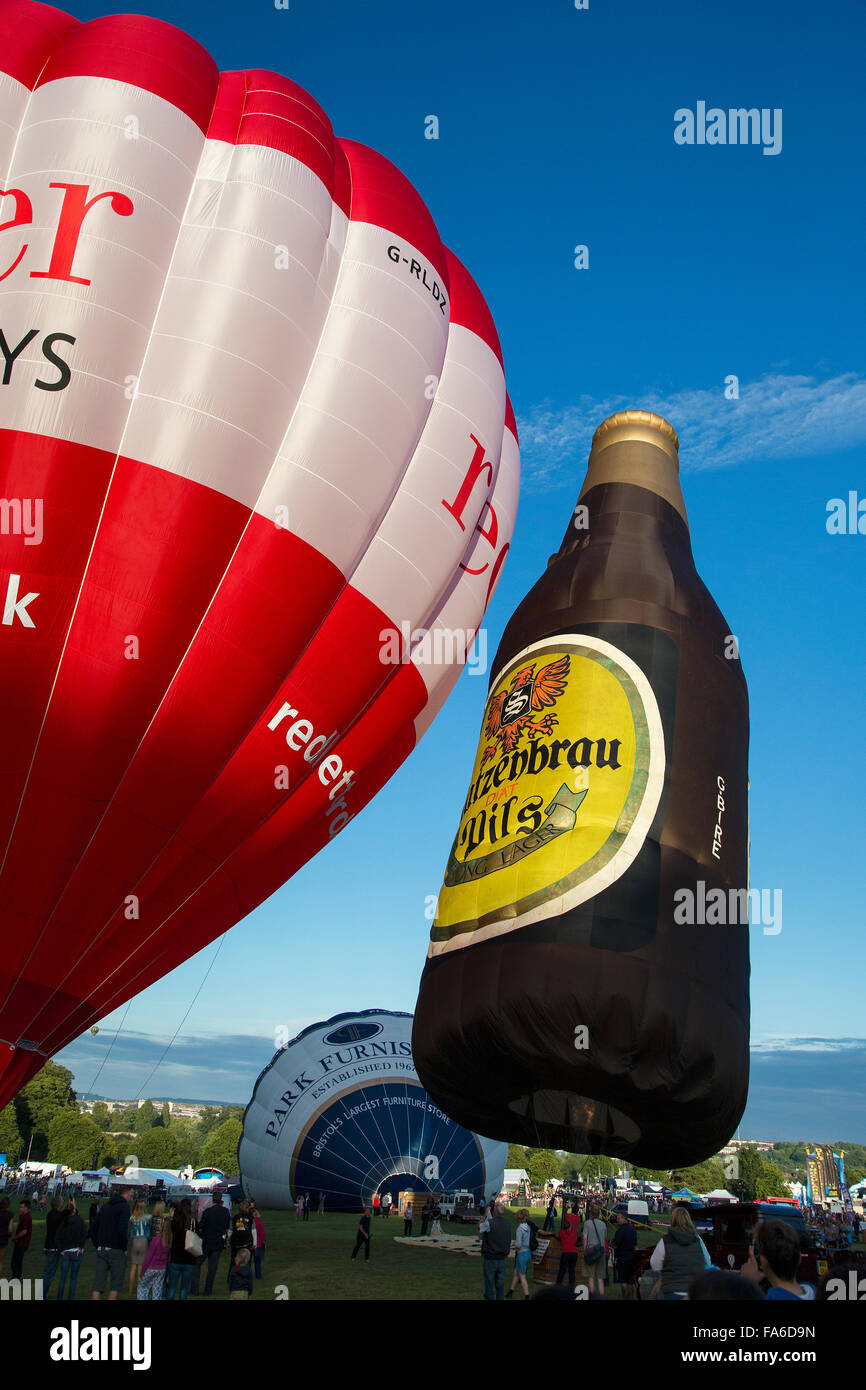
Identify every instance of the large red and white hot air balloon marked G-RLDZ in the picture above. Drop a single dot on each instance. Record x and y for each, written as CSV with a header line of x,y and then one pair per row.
x,y
252,418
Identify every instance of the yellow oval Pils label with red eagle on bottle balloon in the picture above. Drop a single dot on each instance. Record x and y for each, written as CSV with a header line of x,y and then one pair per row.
x,y
565,787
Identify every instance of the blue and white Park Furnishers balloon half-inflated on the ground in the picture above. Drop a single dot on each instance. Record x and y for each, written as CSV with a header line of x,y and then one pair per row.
x,y
341,1111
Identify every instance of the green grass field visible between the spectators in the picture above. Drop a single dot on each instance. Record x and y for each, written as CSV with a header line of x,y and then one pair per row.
x,y
312,1261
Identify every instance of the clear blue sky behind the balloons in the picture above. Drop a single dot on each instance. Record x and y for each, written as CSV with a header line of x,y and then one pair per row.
x,y
557,130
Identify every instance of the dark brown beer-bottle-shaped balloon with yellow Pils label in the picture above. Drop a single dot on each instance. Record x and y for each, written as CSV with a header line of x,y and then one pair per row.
x,y
587,978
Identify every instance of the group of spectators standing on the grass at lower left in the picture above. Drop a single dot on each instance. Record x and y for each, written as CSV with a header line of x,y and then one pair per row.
x,y
156,1256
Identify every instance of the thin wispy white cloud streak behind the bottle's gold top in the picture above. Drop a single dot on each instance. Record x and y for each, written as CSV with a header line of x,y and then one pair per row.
x,y
776,418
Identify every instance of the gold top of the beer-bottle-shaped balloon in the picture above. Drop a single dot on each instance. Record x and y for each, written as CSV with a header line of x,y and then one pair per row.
x,y
642,448
